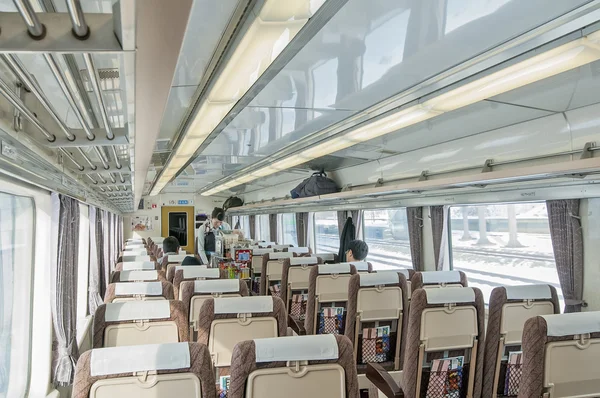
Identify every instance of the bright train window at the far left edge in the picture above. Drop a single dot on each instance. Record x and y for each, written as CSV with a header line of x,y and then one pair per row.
x,y
16,266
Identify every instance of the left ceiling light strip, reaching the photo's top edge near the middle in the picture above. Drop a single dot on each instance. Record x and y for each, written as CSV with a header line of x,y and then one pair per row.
x,y
271,30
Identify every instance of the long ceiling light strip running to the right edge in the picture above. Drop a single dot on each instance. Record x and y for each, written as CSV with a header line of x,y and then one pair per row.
x,y
549,63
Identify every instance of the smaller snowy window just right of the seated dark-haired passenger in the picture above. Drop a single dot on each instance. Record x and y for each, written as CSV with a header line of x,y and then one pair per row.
x,y
386,233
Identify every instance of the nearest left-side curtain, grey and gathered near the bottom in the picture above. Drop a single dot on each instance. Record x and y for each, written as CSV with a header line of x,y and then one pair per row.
x,y
64,282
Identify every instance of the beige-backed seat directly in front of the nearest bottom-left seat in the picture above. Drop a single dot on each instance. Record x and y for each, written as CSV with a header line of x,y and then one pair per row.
x,y
140,322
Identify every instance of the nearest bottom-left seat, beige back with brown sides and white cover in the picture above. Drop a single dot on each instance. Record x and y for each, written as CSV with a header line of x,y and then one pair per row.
x,y
157,370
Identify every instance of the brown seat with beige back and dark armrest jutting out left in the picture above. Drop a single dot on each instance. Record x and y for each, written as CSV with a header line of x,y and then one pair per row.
x,y
443,324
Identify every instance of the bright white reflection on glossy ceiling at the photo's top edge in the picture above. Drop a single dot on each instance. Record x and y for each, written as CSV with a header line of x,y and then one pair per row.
x,y
462,12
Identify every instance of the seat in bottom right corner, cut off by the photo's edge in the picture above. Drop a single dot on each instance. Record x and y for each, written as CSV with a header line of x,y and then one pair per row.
x,y
560,356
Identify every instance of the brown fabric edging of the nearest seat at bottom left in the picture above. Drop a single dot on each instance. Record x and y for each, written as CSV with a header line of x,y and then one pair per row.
x,y
200,365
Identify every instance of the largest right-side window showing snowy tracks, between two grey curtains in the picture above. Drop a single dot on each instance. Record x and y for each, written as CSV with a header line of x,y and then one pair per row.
x,y
503,245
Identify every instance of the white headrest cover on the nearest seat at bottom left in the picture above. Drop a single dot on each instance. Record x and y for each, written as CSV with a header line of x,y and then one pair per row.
x,y
139,358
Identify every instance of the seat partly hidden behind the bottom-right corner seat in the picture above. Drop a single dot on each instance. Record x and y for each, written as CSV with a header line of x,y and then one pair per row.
x,y
509,308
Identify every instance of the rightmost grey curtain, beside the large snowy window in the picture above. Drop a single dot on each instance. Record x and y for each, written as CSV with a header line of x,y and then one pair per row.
x,y
567,242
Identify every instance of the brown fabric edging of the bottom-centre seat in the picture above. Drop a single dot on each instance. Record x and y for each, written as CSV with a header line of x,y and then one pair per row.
x,y
243,363
